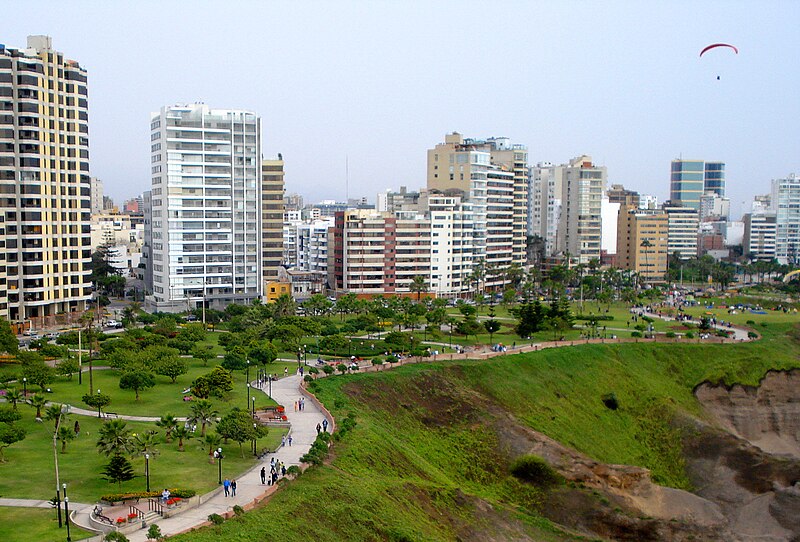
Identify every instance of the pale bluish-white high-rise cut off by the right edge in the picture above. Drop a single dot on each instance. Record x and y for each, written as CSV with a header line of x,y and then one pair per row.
x,y
786,204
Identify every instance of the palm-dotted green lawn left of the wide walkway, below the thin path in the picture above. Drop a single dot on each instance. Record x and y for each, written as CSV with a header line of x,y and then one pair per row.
x,y
29,472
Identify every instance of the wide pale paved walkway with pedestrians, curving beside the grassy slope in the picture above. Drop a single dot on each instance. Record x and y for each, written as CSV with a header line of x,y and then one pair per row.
x,y
249,488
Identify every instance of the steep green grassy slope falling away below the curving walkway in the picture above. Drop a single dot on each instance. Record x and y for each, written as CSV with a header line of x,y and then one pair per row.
x,y
423,452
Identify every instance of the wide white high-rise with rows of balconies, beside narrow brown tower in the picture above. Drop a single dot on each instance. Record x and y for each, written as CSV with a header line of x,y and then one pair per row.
x,y
205,208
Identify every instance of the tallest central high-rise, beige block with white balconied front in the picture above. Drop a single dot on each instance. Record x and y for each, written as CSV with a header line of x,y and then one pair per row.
x,y
492,176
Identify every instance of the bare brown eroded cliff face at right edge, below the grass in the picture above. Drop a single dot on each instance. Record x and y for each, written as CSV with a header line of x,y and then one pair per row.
x,y
767,416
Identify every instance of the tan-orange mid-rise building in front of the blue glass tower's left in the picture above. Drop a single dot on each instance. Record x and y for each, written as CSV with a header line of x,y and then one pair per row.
x,y
642,242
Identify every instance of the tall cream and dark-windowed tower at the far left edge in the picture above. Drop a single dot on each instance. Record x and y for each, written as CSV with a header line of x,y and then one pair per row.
x,y
45,188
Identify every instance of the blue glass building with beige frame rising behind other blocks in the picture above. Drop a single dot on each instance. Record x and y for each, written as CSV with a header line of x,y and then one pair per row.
x,y
690,179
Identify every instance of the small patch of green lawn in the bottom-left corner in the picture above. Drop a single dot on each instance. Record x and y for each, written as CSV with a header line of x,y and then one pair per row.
x,y
27,524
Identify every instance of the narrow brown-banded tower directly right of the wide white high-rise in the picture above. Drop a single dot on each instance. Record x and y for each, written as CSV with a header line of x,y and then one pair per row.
x,y
272,208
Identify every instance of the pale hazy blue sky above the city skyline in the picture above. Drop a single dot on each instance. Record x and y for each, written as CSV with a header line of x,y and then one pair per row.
x,y
352,94
